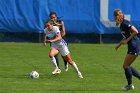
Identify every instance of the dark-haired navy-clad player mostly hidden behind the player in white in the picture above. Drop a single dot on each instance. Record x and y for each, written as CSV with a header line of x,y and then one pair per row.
x,y
60,25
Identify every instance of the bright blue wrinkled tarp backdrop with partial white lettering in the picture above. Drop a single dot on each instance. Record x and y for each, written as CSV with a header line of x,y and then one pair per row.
x,y
79,16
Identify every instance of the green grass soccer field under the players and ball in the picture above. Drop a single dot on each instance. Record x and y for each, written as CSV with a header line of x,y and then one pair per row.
x,y
100,64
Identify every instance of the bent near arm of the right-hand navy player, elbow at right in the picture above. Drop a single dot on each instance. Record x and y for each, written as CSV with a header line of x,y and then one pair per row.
x,y
134,32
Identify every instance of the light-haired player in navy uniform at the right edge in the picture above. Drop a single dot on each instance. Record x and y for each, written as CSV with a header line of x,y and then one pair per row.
x,y
129,32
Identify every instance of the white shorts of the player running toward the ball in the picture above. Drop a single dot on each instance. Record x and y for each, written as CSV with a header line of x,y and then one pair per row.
x,y
62,48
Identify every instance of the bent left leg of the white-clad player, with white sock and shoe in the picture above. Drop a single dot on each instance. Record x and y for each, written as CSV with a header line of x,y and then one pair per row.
x,y
52,53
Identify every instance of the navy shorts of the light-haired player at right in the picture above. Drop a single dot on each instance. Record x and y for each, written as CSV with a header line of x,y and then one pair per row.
x,y
134,47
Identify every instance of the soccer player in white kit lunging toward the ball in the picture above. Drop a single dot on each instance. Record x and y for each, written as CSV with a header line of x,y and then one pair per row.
x,y
52,35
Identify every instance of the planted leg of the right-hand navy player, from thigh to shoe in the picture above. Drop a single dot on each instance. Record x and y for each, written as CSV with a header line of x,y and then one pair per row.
x,y
129,59
